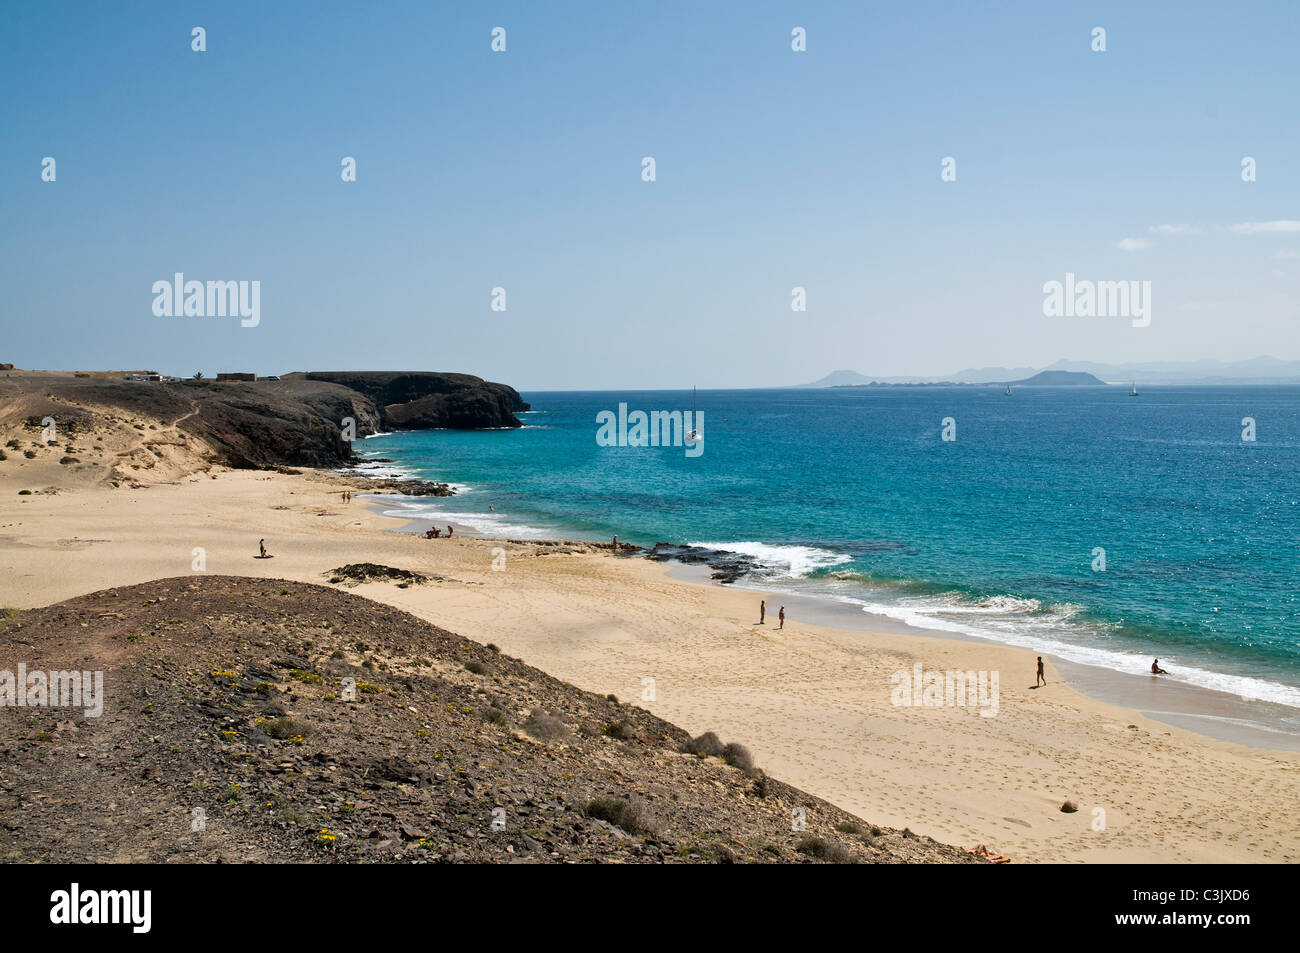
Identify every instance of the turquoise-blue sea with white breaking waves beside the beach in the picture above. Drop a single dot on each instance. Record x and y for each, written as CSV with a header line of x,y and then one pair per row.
x,y
855,496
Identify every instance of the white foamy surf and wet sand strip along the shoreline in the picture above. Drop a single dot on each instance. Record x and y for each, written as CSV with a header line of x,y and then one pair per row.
x,y
1259,696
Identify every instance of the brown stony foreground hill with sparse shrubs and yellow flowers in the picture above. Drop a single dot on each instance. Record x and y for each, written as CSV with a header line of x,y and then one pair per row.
x,y
250,720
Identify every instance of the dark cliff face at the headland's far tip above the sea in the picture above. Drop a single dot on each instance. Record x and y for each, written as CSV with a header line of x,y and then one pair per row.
x,y
424,400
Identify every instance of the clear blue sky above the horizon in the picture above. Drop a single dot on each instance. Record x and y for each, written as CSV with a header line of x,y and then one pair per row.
x,y
523,171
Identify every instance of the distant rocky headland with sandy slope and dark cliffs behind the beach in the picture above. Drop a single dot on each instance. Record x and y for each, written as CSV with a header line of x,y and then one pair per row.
x,y
298,422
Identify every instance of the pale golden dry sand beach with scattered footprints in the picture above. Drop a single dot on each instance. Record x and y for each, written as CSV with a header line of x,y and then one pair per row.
x,y
812,703
